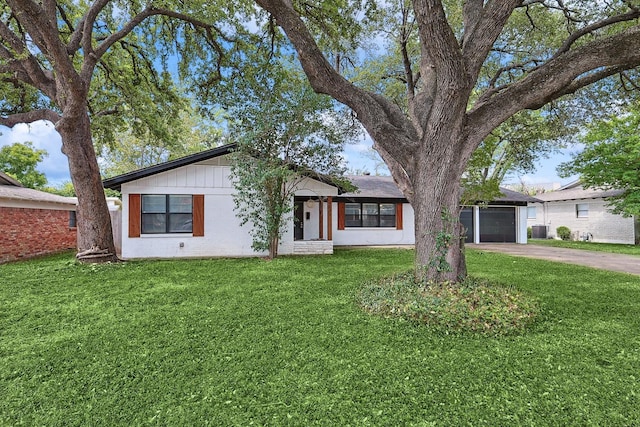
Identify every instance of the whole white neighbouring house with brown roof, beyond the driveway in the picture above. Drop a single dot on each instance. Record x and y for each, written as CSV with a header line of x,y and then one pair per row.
x,y
586,214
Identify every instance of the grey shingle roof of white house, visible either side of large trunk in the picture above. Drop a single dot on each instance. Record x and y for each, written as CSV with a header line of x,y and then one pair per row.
x,y
384,187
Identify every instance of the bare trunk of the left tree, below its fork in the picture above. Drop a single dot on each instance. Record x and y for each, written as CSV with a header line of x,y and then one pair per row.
x,y
95,238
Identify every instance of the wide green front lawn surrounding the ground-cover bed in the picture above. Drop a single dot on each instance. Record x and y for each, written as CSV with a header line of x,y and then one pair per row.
x,y
244,341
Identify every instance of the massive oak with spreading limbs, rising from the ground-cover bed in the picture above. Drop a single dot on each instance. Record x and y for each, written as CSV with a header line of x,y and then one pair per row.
x,y
477,64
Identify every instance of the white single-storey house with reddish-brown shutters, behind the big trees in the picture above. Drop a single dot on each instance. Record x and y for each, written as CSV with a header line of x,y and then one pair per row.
x,y
184,208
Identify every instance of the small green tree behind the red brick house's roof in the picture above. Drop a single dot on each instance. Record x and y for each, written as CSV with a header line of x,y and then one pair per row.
x,y
20,160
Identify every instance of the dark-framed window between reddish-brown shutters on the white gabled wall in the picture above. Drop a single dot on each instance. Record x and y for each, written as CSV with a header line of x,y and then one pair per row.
x,y
167,213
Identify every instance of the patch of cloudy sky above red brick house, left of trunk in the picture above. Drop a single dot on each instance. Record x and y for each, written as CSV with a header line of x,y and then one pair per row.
x,y
43,136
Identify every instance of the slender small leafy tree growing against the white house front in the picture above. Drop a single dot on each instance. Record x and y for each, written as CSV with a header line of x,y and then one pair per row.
x,y
288,133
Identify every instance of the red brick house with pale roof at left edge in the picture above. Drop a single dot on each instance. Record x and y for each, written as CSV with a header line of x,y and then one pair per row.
x,y
33,222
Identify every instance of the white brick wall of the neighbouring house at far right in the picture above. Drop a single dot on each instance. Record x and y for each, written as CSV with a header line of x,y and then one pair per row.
x,y
604,226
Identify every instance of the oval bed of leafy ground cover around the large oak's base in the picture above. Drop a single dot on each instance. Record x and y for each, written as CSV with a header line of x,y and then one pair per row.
x,y
470,306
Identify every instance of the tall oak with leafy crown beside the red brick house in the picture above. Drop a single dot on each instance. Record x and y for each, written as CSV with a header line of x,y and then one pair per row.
x,y
73,63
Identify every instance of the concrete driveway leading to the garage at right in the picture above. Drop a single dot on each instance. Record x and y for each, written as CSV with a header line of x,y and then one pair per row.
x,y
602,260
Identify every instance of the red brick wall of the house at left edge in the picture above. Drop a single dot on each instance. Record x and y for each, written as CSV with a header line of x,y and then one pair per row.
x,y
27,233
